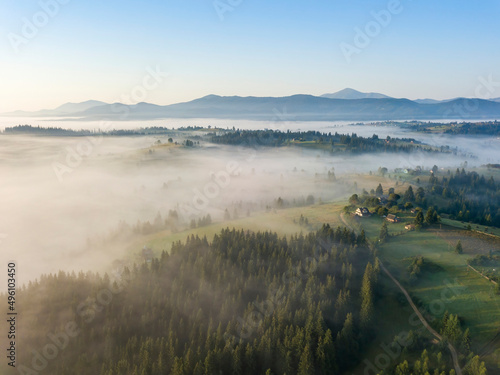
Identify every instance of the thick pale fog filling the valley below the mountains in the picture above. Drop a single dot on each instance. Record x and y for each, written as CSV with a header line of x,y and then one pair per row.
x,y
59,211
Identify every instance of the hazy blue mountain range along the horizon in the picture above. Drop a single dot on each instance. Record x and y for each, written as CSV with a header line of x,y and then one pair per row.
x,y
347,104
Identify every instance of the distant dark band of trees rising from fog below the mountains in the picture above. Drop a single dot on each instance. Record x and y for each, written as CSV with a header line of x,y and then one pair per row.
x,y
350,142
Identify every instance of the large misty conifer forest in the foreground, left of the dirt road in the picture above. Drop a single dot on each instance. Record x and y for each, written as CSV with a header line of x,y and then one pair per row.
x,y
245,303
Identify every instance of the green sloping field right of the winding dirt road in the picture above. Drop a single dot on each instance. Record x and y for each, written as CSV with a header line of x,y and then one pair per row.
x,y
453,287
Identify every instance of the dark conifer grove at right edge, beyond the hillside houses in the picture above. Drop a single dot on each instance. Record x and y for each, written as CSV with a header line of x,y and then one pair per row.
x,y
470,197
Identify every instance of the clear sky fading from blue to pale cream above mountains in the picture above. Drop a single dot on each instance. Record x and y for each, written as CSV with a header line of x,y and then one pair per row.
x,y
58,51
